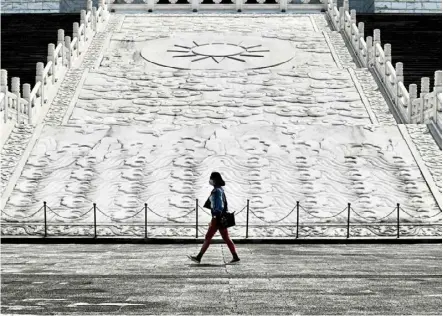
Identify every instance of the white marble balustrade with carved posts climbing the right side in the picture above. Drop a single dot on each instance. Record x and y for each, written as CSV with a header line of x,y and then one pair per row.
x,y
423,108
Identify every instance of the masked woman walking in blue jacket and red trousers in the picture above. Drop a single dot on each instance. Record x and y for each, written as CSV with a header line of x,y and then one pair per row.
x,y
218,204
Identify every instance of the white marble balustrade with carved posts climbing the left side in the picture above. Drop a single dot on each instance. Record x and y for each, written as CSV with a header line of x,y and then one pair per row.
x,y
26,108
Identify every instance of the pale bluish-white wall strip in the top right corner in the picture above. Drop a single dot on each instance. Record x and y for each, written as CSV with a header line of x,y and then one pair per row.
x,y
407,6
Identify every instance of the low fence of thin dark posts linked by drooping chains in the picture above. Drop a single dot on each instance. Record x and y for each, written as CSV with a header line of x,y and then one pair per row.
x,y
394,223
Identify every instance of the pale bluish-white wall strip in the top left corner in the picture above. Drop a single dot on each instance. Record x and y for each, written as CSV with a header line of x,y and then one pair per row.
x,y
30,6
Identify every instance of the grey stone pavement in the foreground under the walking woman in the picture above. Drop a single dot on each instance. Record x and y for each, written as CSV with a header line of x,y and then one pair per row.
x,y
78,279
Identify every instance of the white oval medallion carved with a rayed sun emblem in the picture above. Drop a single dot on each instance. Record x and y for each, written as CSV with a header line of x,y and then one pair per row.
x,y
209,51
